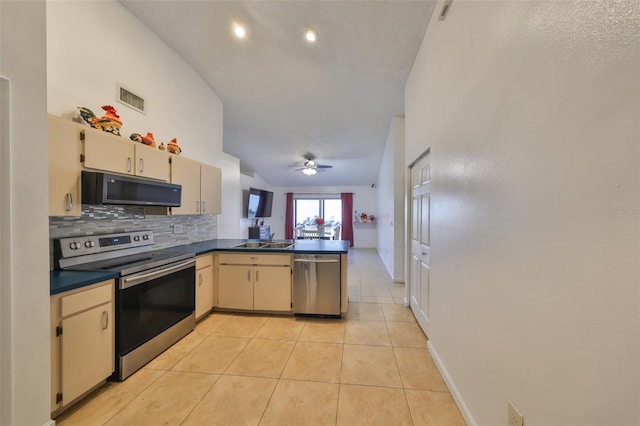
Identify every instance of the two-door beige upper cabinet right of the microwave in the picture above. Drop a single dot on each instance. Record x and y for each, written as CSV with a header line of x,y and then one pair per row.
x,y
201,186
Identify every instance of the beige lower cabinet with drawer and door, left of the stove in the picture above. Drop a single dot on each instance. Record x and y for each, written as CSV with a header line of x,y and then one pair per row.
x,y
82,342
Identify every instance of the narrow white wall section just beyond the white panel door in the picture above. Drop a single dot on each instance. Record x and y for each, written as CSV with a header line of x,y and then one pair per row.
x,y
390,207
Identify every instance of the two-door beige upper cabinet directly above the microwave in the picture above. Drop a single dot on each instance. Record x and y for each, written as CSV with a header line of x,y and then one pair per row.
x,y
105,151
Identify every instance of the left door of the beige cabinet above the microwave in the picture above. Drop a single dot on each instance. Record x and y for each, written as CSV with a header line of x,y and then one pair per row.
x,y
104,151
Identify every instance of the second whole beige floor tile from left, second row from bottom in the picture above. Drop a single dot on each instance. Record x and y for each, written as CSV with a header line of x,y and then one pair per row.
x,y
262,358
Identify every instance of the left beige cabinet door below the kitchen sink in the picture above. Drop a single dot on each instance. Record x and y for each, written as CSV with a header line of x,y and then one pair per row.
x,y
235,287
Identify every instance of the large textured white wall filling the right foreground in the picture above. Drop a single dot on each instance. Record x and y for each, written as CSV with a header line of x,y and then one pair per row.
x,y
531,111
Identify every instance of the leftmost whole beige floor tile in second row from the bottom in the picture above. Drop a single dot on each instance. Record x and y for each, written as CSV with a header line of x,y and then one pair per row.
x,y
213,355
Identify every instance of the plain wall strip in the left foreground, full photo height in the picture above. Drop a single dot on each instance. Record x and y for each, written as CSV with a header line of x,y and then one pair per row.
x,y
24,286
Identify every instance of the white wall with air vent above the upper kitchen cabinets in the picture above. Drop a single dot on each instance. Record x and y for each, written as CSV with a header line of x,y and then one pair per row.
x,y
108,45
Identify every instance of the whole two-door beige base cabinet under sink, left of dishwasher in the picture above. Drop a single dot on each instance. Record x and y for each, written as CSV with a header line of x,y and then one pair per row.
x,y
255,281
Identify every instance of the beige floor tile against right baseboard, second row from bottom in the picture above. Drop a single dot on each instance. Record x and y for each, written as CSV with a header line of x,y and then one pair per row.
x,y
418,371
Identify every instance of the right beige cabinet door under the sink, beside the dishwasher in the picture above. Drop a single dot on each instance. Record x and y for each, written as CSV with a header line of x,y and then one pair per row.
x,y
272,288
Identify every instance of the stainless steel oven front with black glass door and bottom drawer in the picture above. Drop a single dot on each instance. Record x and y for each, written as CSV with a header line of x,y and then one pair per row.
x,y
154,309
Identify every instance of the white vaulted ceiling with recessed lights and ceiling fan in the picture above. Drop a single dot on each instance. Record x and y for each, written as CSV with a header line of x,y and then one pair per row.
x,y
283,97
